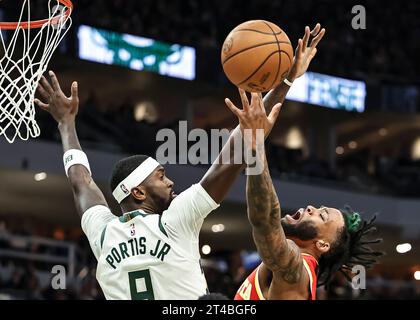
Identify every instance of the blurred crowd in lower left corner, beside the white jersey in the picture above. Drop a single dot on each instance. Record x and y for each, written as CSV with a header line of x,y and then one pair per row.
x,y
30,248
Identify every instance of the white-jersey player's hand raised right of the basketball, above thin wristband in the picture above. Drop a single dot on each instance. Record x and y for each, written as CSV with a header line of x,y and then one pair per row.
x,y
305,54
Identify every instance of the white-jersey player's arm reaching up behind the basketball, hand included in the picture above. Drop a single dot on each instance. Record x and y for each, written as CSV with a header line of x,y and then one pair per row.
x,y
220,177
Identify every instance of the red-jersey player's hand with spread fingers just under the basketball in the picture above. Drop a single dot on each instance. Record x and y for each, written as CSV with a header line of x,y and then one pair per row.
x,y
253,116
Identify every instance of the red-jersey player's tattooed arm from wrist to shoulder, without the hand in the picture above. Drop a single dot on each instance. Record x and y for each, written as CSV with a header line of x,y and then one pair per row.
x,y
280,255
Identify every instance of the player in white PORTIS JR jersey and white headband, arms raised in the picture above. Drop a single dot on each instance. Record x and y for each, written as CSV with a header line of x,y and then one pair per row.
x,y
151,251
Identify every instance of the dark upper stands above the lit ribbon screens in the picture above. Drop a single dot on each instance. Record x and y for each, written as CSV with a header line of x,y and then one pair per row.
x,y
386,49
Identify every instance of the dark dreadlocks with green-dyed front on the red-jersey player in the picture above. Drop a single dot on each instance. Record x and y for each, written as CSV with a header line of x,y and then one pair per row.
x,y
351,248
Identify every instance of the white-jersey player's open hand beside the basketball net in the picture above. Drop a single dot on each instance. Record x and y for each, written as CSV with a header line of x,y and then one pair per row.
x,y
63,109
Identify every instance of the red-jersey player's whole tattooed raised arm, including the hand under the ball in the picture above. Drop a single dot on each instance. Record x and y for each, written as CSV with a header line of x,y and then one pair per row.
x,y
280,255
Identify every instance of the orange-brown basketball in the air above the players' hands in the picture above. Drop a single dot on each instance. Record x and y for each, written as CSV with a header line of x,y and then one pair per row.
x,y
257,55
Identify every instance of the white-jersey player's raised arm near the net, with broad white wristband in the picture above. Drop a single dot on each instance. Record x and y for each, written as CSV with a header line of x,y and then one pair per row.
x,y
64,110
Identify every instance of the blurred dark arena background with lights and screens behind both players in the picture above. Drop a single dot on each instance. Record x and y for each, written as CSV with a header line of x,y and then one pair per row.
x,y
318,155
